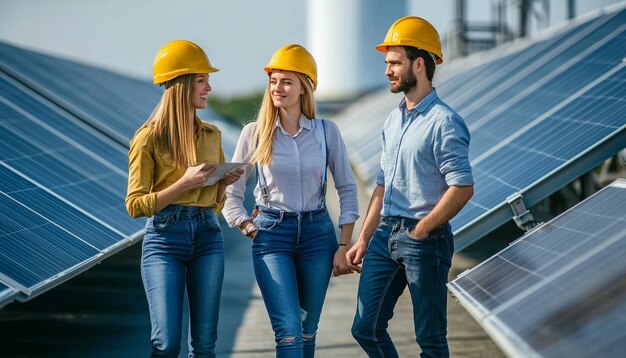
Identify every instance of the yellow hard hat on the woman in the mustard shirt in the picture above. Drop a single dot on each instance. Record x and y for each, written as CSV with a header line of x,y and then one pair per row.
x,y
180,57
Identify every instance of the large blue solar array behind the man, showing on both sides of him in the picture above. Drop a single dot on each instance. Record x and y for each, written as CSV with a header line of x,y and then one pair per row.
x,y
540,112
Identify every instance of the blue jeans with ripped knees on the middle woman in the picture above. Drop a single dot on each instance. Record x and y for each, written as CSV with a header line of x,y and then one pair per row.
x,y
293,260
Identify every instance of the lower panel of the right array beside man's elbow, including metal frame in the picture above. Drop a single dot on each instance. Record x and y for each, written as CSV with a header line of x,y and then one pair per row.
x,y
550,151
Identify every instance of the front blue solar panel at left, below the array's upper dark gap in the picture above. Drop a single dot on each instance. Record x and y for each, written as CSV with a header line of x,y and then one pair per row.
x,y
62,188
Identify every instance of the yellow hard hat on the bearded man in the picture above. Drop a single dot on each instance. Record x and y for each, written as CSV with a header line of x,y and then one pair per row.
x,y
415,32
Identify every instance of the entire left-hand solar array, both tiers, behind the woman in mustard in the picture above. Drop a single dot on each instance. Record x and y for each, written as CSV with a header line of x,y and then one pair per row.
x,y
63,167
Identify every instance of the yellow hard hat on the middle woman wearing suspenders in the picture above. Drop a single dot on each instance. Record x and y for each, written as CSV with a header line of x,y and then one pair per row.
x,y
294,58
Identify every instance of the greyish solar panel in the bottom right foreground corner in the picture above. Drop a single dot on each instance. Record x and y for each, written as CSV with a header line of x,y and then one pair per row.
x,y
560,290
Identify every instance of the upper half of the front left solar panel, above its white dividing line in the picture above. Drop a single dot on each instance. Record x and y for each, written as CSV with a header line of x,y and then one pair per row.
x,y
76,164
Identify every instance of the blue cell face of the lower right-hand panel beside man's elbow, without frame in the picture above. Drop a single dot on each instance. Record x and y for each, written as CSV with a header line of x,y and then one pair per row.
x,y
549,144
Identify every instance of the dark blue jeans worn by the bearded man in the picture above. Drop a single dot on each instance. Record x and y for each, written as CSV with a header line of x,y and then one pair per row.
x,y
394,260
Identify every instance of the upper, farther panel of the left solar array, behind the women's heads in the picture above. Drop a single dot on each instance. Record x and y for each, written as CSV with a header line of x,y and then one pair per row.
x,y
116,104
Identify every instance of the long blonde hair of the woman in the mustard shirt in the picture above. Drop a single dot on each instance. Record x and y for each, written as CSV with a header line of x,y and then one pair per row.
x,y
172,121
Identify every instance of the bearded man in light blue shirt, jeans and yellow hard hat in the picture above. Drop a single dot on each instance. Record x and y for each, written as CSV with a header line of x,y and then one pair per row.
x,y
425,179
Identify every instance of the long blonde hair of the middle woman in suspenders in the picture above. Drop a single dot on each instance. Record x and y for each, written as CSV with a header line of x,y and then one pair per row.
x,y
268,115
